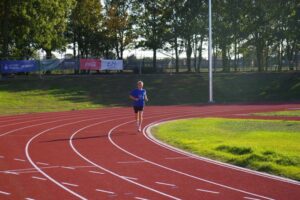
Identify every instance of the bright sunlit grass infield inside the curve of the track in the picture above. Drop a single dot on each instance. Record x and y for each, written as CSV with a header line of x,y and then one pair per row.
x,y
263,145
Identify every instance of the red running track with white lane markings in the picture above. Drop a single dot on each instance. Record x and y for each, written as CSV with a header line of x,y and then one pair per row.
x,y
98,154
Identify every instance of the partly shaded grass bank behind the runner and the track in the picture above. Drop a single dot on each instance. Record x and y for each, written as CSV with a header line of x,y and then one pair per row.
x,y
58,93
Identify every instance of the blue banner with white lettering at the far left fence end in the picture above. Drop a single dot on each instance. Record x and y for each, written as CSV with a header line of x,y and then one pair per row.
x,y
15,66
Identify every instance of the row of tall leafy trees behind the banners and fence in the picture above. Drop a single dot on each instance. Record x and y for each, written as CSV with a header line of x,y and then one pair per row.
x,y
254,30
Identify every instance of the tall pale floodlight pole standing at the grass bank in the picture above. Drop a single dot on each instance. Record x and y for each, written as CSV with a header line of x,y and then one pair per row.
x,y
210,56
